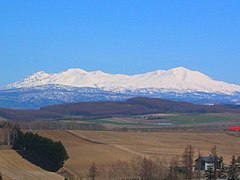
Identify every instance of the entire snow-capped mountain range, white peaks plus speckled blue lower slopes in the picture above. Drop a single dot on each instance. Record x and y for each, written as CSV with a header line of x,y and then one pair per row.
x,y
76,85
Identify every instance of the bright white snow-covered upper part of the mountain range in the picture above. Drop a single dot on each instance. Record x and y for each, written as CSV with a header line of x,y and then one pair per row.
x,y
177,79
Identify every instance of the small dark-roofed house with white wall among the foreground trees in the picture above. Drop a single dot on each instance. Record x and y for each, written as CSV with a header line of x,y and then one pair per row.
x,y
206,162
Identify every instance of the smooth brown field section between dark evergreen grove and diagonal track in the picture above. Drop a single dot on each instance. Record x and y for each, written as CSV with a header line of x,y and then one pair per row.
x,y
83,152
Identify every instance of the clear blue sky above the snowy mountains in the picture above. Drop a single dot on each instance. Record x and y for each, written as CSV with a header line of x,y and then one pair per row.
x,y
127,36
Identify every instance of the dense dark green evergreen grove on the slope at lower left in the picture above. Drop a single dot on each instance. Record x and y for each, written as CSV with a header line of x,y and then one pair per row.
x,y
42,151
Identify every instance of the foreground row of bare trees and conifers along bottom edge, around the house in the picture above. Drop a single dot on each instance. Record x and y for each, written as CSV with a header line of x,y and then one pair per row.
x,y
179,168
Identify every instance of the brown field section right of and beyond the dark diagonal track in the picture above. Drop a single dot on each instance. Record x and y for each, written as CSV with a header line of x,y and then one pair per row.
x,y
169,144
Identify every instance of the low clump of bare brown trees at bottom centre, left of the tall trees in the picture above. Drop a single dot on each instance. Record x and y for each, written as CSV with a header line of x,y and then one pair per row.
x,y
137,168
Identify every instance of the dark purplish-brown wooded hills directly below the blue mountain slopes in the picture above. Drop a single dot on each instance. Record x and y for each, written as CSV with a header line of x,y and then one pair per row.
x,y
133,106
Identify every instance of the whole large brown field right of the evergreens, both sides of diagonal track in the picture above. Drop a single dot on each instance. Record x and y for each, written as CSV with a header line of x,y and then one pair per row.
x,y
105,147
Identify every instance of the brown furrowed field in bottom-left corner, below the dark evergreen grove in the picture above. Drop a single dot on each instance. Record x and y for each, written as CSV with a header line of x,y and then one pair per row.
x,y
13,166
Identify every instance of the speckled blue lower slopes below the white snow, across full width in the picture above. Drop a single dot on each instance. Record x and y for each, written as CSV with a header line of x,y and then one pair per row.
x,y
40,96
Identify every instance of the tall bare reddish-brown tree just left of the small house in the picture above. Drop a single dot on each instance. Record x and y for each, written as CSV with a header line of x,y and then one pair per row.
x,y
187,160
